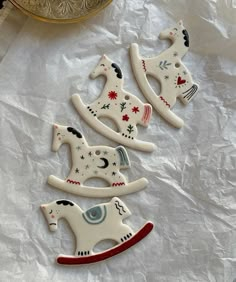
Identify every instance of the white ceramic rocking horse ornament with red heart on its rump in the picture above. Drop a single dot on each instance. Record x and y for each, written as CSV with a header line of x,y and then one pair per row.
x,y
168,69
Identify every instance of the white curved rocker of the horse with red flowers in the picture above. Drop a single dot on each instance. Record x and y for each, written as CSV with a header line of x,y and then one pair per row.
x,y
108,132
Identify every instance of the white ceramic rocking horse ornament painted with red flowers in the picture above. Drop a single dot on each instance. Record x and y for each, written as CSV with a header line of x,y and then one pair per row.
x,y
115,103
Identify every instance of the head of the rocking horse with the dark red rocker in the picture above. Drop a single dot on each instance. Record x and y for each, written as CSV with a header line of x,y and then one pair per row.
x,y
54,211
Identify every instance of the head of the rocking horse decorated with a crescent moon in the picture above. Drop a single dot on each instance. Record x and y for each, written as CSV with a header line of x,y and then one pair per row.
x,y
65,134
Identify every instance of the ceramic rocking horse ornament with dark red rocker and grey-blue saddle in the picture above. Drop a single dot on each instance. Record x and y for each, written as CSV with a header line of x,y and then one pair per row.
x,y
90,227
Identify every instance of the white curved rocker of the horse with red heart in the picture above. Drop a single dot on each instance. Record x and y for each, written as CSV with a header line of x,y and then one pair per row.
x,y
149,93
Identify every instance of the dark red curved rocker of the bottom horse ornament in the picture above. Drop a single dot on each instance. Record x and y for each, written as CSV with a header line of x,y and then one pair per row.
x,y
72,260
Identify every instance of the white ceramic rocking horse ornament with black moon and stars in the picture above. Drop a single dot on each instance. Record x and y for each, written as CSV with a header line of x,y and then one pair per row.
x,y
93,162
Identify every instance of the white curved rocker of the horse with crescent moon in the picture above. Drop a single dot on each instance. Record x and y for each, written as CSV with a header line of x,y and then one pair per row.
x,y
98,192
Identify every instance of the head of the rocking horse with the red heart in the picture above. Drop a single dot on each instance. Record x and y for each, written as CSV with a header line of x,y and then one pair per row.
x,y
176,32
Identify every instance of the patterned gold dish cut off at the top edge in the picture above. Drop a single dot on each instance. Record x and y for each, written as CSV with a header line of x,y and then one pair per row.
x,y
61,11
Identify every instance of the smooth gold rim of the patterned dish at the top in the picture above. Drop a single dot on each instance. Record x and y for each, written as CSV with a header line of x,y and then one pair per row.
x,y
60,21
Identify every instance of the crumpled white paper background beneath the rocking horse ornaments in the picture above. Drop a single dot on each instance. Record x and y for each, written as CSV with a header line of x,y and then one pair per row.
x,y
191,196
